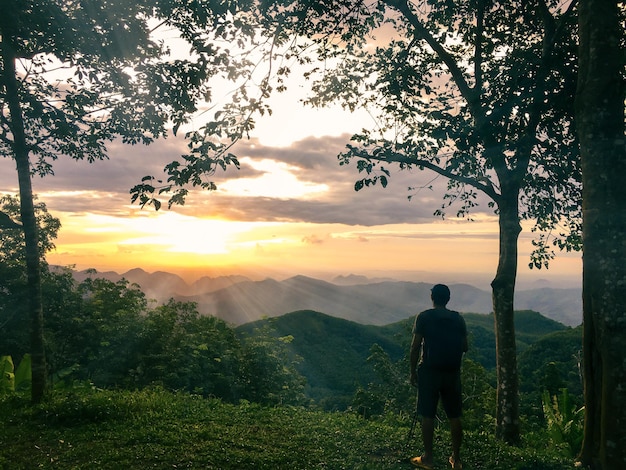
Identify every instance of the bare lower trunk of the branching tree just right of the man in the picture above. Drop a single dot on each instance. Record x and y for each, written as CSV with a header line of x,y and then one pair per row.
x,y
503,293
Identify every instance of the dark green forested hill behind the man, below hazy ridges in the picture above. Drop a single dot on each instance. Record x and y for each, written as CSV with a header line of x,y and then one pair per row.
x,y
333,352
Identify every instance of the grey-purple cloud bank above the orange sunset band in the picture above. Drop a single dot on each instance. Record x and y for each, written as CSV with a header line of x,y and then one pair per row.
x,y
321,190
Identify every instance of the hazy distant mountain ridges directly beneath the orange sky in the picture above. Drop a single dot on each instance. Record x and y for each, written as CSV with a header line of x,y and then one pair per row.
x,y
239,300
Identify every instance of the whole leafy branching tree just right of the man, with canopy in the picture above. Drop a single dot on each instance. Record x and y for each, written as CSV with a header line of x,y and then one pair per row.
x,y
477,92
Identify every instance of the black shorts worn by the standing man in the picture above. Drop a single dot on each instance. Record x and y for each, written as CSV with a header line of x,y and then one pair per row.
x,y
433,384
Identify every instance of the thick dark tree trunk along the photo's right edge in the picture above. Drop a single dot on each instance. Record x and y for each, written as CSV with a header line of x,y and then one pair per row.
x,y
600,124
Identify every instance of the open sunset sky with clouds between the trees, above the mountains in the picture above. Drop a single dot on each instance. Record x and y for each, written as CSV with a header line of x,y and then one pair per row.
x,y
290,209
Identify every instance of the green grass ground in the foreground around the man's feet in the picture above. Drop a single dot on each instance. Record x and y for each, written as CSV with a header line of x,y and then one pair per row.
x,y
157,429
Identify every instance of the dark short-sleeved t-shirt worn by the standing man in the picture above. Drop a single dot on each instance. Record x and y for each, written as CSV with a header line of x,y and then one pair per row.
x,y
444,332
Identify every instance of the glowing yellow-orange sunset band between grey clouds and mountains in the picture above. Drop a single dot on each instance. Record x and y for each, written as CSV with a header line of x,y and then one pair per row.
x,y
461,250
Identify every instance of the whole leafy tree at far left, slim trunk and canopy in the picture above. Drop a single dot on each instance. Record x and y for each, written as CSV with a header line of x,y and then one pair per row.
x,y
76,75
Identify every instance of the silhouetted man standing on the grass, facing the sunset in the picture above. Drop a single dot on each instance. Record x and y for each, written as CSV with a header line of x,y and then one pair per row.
x,y
439,341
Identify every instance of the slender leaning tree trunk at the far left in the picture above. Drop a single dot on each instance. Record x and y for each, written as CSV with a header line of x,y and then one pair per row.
x,y
27,209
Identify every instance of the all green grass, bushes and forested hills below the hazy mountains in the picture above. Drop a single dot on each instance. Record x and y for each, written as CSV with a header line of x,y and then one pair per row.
x,y
138,385
